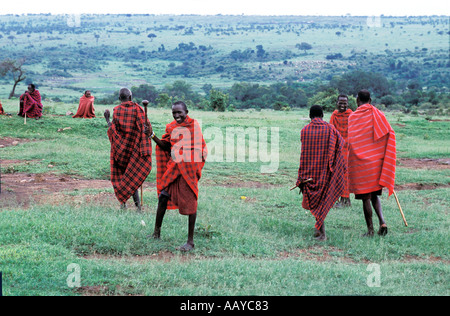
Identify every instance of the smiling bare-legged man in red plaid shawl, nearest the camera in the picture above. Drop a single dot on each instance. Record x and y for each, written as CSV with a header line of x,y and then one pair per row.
x,y
180,157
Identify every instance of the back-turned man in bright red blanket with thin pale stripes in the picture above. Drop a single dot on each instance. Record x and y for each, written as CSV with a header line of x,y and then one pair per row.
x,y
372,158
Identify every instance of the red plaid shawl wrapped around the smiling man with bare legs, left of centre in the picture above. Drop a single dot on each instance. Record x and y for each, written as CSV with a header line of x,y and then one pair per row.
x,y
187,157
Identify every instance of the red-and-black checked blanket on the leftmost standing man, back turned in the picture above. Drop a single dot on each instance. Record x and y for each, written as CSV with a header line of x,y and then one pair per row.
x,y
131,150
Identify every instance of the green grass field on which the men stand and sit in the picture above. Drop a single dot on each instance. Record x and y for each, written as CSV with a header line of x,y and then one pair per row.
x,y
259,245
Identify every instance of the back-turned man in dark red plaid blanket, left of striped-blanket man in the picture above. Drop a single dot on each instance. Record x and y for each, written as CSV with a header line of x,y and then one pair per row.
x,y
322,161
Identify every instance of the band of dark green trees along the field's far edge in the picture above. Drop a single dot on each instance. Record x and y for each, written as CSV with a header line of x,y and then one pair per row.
x,y
285,96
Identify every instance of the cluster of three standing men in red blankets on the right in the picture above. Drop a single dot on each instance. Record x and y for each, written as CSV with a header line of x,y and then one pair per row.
x,y
354,153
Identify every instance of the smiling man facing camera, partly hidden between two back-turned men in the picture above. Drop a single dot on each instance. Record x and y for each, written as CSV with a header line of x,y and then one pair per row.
x,y
339,119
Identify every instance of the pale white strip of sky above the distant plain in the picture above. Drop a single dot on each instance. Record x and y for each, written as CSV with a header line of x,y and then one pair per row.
x,y
233,7
